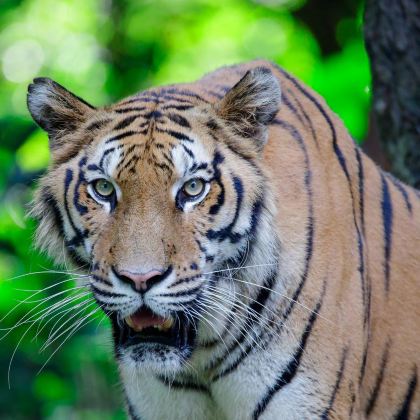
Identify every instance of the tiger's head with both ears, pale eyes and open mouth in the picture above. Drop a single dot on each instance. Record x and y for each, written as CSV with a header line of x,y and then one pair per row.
x,y
153,197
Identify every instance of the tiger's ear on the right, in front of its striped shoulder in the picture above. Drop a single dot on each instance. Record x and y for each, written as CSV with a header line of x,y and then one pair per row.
x,y
251,105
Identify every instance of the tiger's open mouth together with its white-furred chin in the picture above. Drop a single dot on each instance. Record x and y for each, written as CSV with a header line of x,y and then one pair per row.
x,y
148,342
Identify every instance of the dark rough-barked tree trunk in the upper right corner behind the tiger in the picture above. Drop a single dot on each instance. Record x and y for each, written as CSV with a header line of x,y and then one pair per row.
x,y
392,36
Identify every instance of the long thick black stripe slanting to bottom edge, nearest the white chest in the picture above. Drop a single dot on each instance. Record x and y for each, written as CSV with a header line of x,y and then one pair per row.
x,y
291,369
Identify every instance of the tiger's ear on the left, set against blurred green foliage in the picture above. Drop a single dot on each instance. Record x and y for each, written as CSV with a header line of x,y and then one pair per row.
x,y
56,110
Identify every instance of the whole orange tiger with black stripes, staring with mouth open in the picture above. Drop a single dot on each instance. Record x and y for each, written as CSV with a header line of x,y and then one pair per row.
x,y
253,262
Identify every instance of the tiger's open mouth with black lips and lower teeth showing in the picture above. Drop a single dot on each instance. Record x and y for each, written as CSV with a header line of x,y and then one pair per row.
x,y
145,327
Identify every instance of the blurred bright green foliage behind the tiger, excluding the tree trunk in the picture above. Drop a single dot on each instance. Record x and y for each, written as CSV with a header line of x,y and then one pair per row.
x,y
103,50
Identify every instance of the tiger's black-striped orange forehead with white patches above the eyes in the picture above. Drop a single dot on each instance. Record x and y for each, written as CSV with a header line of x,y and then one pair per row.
x,y
154,131
